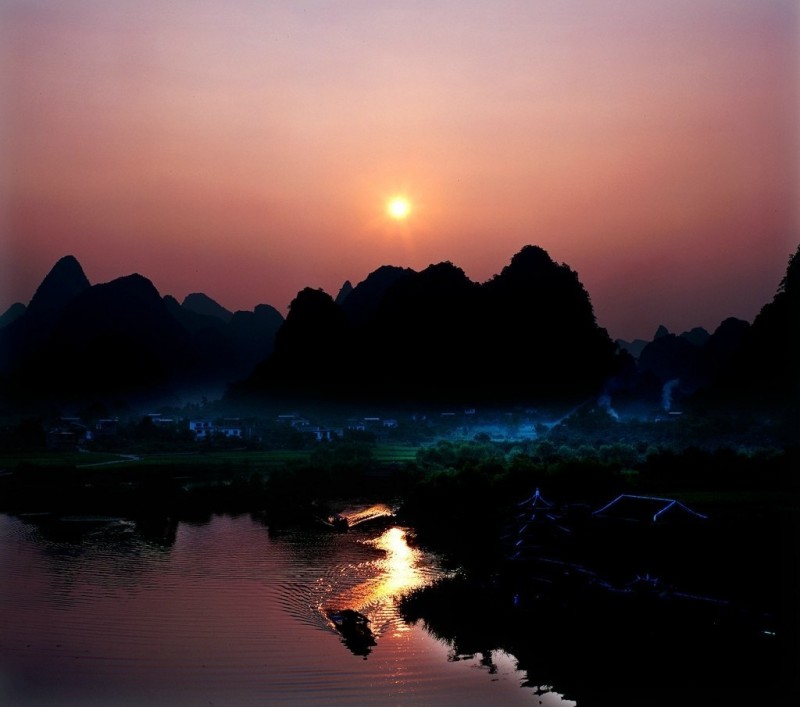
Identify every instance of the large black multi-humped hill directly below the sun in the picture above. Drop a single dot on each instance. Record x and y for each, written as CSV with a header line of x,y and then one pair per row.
x,y
435,335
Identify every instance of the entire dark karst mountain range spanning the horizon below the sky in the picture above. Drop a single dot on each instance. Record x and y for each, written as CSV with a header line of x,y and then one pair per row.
x,y
529,334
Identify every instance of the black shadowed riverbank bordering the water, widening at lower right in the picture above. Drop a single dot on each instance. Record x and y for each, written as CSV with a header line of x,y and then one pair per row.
x,y
565,609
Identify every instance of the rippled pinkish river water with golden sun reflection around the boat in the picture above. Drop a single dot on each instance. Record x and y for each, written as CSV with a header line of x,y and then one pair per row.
x,y
104,612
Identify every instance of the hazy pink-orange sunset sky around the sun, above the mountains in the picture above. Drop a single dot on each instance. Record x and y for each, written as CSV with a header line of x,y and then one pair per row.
x,y
247,148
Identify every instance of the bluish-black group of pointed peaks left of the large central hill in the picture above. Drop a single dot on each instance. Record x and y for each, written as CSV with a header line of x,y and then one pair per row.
x,y
122,338
